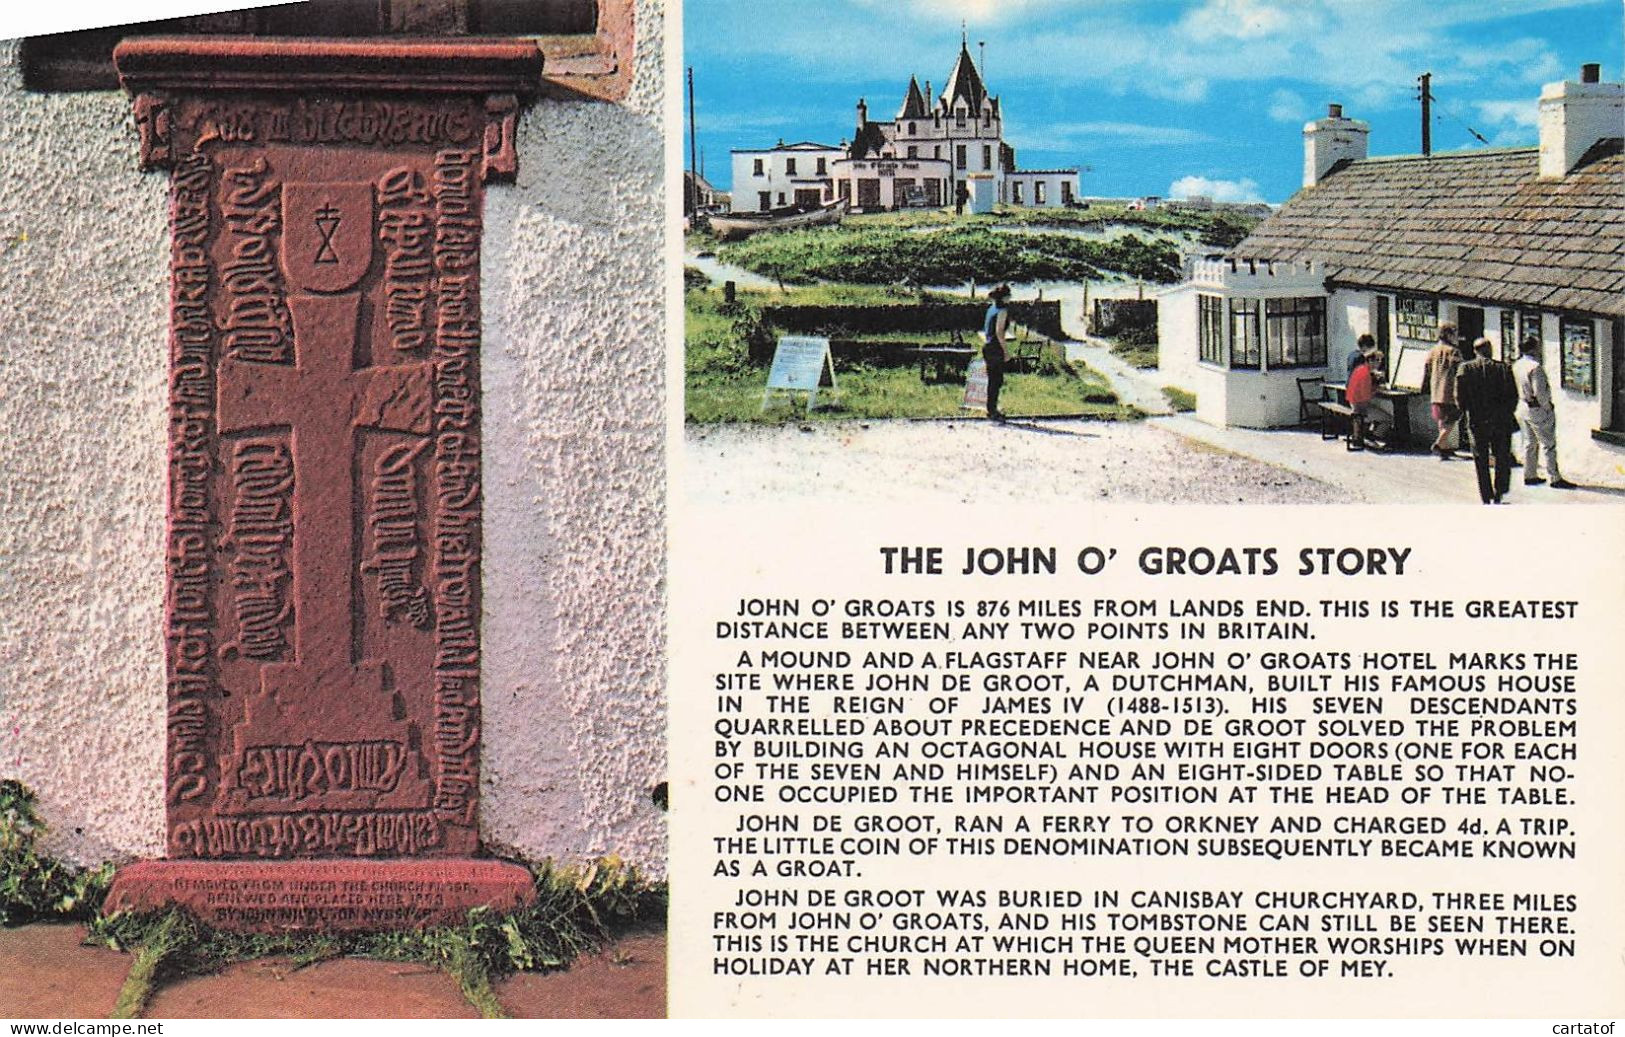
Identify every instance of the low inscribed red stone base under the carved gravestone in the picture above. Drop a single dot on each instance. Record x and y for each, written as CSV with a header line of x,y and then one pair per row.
x,y
323,895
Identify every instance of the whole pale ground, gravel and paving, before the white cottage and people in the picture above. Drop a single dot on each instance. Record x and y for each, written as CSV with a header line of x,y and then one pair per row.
x,y
1161,461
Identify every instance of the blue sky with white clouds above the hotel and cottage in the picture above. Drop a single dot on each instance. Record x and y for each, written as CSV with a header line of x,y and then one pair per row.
x,y
1158,97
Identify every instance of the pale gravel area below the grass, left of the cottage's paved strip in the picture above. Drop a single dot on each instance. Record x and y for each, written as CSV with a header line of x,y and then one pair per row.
x,y
981,462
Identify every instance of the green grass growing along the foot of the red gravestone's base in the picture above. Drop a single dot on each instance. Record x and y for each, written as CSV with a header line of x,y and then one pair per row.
x,y
576,911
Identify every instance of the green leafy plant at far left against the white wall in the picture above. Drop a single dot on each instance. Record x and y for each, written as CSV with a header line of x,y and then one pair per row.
x,y
33,885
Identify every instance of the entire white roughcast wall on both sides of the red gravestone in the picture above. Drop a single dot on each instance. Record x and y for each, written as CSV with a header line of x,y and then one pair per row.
x,y
574,420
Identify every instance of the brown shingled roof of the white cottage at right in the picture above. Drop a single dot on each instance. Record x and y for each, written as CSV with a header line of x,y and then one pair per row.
x,y
1480,225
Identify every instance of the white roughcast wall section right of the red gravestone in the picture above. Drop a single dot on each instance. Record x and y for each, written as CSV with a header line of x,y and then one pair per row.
x,y
574,417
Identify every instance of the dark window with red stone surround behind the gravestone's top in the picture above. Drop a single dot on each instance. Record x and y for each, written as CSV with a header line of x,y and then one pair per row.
x,y
587,45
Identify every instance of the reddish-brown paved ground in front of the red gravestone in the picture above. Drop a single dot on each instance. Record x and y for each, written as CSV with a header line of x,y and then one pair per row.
x,y
46,974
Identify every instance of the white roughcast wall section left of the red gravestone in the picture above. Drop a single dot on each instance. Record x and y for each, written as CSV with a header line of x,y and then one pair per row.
x,y
84,289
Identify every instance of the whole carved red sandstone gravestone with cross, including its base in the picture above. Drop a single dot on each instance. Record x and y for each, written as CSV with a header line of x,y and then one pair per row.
x,y
324,474
